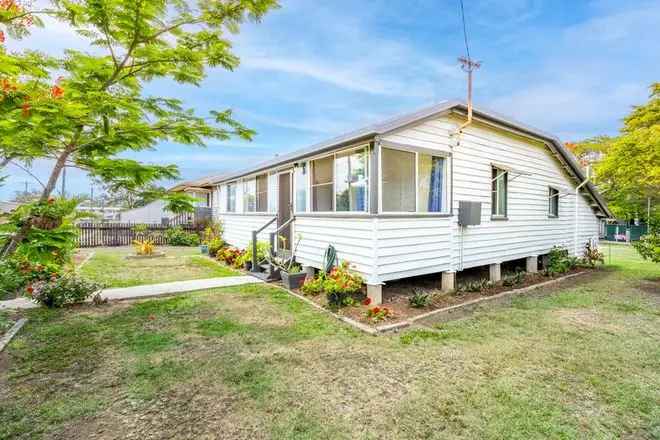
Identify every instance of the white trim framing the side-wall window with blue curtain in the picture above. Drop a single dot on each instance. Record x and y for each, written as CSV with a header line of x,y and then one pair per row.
x,y
445,179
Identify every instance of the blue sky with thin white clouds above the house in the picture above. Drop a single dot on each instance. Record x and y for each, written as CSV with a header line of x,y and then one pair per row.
x,y
313,69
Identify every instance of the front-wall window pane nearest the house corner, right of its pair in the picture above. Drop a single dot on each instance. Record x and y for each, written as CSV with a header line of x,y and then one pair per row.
x,y
351,182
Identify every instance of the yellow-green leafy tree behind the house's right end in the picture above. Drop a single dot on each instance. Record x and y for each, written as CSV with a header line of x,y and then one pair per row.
x,y
629,174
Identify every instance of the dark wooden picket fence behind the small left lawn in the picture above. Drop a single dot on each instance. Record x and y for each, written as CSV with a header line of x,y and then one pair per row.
x,y
122,234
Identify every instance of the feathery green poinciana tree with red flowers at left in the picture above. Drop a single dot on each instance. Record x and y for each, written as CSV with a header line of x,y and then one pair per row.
x,y
87,108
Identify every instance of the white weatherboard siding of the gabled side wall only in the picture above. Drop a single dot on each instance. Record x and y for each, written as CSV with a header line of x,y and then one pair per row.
x,y
528,230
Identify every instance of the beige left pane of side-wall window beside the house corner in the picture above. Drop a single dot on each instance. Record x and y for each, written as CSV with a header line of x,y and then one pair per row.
x,y
398,180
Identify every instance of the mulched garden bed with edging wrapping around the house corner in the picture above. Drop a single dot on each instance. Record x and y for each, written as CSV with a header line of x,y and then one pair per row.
x,y
396,297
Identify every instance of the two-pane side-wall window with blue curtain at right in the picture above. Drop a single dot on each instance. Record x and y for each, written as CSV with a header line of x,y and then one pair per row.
x,y
413,181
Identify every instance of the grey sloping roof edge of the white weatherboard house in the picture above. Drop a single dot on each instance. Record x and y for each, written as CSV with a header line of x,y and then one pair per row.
x,y
389,125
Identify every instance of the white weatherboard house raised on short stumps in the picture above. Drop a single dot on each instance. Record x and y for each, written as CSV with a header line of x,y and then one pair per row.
x,y
387,197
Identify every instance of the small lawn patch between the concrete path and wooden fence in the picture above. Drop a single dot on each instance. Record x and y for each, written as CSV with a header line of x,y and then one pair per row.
x,y
111,267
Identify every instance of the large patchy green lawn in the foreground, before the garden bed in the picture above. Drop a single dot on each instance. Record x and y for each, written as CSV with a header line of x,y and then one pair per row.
x,y
253,362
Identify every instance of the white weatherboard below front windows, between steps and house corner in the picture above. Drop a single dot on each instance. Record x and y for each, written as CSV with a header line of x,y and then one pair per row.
x,y
351,237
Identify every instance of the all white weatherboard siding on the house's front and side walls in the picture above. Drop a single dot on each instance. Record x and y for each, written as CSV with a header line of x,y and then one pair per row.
x,y
384,248
